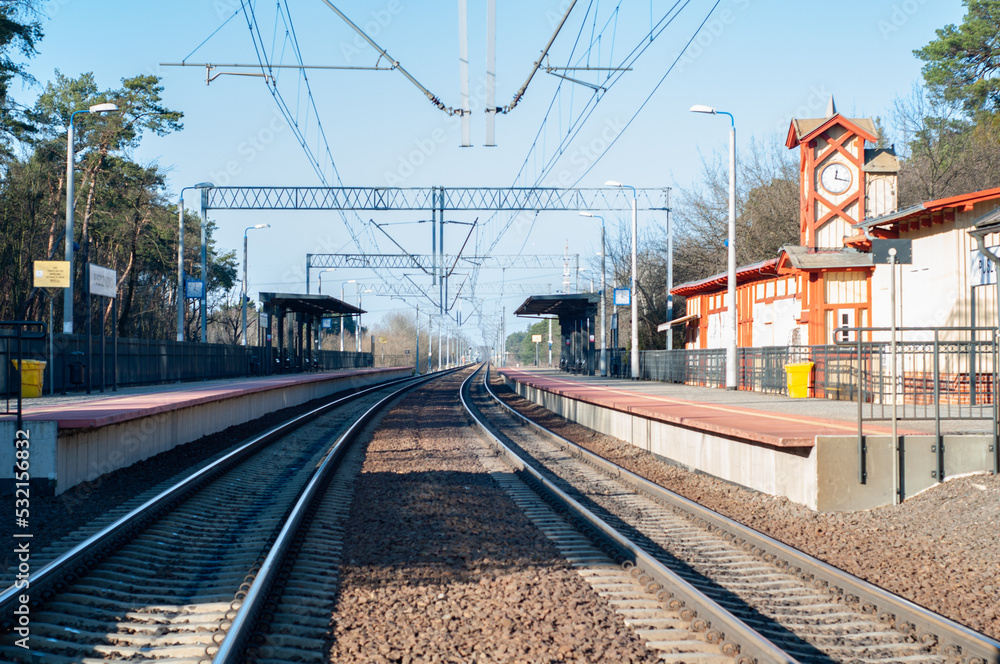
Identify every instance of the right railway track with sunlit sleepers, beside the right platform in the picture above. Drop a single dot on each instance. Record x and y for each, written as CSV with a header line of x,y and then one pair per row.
x,y
739,592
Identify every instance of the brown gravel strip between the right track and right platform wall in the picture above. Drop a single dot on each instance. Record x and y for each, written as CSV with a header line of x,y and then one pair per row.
x,y
937,549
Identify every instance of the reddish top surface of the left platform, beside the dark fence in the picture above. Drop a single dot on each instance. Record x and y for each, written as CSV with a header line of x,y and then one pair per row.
x,y
104,410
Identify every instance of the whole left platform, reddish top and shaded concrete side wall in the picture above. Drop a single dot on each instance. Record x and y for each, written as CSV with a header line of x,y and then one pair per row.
x,y
78,437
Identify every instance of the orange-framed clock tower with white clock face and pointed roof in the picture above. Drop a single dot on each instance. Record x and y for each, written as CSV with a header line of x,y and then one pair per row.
x,y
832,176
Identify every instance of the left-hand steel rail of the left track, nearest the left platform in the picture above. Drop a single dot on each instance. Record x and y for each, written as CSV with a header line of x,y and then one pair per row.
x,y
84,556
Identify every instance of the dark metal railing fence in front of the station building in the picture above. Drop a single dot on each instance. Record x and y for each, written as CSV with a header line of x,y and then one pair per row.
x,y
951,374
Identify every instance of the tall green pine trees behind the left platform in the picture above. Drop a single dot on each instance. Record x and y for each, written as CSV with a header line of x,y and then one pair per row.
x,y
124,219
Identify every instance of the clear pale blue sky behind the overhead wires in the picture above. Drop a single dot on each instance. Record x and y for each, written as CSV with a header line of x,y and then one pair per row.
x,y
763,61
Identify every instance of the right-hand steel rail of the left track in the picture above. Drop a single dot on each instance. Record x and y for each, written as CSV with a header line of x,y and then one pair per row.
x,y
231,650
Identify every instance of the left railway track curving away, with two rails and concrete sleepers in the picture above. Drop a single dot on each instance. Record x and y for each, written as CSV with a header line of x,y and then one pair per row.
x,y
185,576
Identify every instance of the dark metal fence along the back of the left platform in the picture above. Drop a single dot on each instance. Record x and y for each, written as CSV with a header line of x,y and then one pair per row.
x,y
75,366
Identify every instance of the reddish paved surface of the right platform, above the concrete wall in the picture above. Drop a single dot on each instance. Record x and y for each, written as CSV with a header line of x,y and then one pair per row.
x,y
768,427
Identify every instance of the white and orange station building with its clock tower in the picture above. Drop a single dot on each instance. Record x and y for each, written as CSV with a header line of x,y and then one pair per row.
x,y
848,198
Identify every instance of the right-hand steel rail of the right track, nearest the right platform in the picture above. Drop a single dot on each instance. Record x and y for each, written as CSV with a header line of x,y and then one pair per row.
x,y
907,616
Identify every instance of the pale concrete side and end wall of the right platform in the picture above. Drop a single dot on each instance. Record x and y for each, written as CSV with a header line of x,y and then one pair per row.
x,y
823,478
